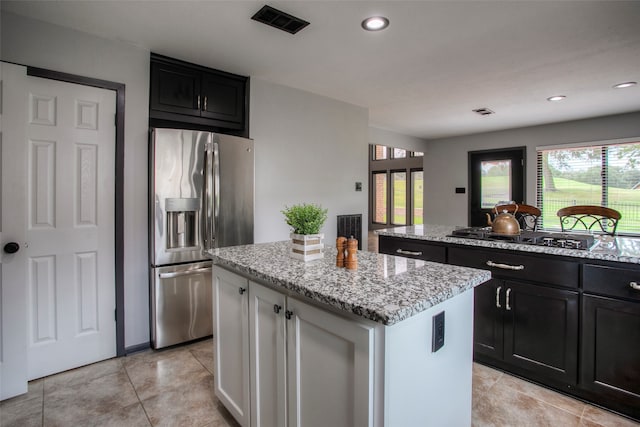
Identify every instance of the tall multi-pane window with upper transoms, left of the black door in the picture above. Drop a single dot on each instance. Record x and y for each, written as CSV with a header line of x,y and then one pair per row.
x,y
396,187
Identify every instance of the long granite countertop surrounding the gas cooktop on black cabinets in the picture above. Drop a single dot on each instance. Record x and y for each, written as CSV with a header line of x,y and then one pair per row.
x,y
618,249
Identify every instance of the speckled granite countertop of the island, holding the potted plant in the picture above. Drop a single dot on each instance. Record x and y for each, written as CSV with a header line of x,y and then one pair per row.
x,y
385,288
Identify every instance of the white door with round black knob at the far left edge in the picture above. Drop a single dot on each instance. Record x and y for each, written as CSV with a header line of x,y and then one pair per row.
x,y
13,295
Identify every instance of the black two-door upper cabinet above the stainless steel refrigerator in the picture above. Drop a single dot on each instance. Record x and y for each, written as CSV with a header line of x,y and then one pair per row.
x,y
186,93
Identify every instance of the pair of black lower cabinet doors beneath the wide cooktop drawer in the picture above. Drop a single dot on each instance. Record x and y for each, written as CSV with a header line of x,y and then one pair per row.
x,y
531,327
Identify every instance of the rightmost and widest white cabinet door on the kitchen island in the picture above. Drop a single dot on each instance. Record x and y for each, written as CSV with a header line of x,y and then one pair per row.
x,y
330,369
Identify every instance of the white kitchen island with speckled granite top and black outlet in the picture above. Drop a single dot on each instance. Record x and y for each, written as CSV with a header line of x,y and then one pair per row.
x,y
312,344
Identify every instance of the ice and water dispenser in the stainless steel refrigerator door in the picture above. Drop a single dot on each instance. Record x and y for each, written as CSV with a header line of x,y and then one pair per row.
x,y
182,222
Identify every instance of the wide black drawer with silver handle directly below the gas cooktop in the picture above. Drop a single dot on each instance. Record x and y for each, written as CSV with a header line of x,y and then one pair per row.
x,y
516,266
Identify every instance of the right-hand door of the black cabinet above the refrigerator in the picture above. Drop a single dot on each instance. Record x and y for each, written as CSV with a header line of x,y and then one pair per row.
x,y
223,99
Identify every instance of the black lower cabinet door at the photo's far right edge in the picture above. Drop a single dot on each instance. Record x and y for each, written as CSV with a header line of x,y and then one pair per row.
x,y
610,352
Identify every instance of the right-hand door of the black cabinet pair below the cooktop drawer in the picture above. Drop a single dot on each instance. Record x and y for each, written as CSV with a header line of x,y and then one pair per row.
x,y
541,330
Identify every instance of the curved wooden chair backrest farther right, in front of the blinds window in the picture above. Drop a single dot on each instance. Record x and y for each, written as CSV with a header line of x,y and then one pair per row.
x,y
592,218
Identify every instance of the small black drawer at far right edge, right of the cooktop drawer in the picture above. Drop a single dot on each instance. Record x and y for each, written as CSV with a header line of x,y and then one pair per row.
x,y
611,281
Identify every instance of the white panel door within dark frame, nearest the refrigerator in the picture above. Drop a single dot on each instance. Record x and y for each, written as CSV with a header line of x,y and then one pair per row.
x,y
67,163
